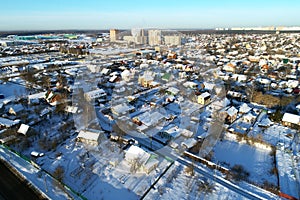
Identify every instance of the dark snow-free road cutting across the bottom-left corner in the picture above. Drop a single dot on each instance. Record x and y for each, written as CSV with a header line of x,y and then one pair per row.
x,y
13,188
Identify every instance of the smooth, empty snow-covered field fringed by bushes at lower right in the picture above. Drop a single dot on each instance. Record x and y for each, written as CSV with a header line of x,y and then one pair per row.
x,y
257,161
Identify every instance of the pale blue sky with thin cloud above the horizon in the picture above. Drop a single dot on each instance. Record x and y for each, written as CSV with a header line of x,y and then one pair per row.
x,y
100,14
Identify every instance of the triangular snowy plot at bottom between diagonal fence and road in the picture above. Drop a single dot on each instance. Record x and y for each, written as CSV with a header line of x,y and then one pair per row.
x,y
177,184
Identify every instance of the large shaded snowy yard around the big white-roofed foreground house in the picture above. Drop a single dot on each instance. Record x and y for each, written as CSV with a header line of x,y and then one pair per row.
x,y
89,170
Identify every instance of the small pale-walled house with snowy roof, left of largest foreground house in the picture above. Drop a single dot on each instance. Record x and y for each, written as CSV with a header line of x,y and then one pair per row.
x,y
91,137
